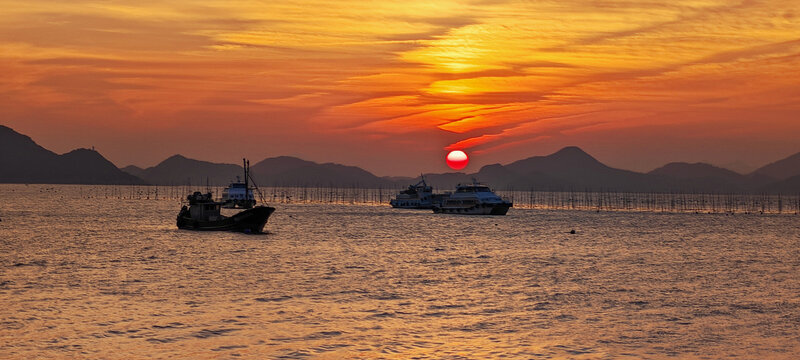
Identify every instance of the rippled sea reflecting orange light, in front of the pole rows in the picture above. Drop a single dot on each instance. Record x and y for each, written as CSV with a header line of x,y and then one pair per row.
x,y
91,278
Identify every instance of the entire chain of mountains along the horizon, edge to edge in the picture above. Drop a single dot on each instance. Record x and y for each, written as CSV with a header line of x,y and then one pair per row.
x,y
569,169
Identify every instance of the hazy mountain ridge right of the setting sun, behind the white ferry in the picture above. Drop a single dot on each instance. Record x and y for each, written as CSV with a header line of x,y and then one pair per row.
x,y
572,169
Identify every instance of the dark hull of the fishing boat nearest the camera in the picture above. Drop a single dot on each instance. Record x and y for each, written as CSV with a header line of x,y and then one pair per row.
x,y
248,221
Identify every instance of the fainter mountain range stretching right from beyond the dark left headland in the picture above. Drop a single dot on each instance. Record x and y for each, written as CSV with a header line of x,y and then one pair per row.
x,y
569,169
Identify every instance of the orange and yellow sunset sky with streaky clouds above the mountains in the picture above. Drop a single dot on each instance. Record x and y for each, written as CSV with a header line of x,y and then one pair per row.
x,y
391,86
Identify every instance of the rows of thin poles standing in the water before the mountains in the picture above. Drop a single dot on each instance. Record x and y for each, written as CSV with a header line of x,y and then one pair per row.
x,y
732,203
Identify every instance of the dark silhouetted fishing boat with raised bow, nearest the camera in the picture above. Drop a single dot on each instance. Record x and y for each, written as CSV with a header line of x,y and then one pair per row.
x,y
203,213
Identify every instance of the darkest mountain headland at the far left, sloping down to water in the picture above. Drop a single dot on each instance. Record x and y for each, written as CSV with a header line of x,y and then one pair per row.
x,y
24,161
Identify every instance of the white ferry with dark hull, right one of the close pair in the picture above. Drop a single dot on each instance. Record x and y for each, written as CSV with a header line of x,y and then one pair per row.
x,y
473,199
